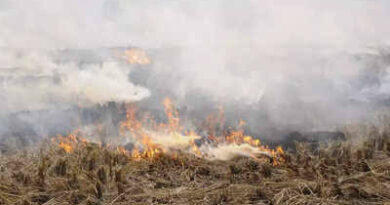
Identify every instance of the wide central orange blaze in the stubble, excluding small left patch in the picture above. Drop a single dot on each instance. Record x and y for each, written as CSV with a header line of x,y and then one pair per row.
x,y
156,138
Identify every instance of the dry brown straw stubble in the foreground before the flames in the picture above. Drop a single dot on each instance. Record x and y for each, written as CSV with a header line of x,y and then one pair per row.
x,y
342,173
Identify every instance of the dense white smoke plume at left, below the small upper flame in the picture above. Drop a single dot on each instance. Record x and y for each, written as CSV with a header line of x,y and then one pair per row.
x,y
33,81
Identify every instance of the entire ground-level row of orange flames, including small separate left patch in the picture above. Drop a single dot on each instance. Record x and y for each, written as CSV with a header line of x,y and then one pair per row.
x,y
151,138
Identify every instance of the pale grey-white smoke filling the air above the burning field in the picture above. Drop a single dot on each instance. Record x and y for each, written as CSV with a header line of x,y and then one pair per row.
x,y
302,65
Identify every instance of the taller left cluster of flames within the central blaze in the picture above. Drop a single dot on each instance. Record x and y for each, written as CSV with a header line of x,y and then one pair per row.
x,y
157,138
